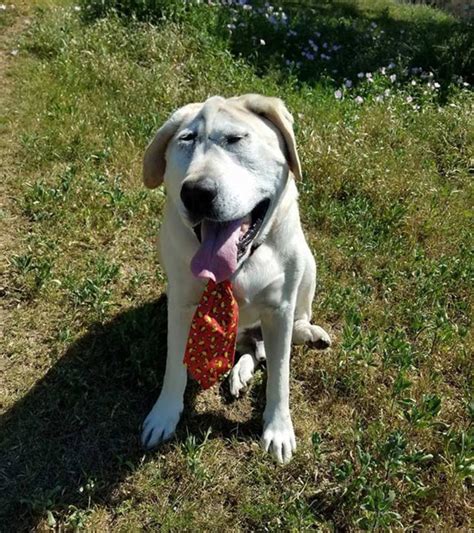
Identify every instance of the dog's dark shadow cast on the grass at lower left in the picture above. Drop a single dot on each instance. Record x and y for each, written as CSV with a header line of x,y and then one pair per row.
x,y
80,423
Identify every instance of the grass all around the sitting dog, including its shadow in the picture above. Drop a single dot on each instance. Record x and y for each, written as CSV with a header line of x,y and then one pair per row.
x,y
383,419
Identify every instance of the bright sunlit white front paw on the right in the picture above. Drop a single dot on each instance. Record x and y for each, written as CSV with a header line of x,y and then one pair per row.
x,y
279,438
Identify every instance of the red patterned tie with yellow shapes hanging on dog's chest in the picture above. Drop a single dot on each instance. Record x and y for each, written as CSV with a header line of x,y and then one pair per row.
x,y
210,348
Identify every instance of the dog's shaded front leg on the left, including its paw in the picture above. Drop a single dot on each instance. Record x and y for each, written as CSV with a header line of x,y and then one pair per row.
x,y
161,422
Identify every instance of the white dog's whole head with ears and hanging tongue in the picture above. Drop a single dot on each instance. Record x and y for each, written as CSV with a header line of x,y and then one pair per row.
x,y
225,164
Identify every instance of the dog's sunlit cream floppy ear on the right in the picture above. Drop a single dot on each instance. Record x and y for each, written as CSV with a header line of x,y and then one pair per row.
x,y
276,112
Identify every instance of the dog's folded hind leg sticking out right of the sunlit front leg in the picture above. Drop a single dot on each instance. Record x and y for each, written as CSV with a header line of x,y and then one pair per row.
x,y
303,331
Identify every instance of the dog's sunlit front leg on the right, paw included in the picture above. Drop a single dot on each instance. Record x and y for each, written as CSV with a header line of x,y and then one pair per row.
x,y
278,435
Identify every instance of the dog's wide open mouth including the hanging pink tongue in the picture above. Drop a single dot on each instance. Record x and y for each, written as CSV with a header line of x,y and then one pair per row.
x,y
225,244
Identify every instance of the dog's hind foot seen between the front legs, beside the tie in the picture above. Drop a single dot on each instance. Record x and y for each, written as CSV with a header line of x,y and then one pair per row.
x,y
253,353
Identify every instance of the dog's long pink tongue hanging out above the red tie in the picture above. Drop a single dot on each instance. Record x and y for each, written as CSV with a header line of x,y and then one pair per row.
x,y
216,258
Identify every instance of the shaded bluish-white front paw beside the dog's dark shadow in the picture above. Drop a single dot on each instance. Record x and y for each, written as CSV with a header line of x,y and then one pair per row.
x,y
161,422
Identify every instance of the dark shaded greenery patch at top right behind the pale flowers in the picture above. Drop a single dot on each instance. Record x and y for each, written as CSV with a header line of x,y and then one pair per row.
x,y
335,40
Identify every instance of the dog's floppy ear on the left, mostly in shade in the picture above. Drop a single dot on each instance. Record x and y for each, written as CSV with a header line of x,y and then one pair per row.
x,y
154,160
